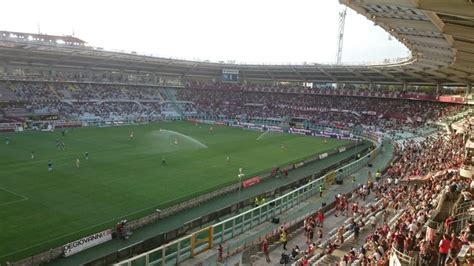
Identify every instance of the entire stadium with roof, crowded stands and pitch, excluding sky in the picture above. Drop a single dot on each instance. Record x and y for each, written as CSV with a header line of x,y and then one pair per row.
x,y
117,158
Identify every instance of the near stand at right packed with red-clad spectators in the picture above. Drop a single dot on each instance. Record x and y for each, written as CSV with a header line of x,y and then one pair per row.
x,y
414,213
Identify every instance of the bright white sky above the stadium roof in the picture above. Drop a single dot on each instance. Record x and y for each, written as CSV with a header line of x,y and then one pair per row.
x,y
249,31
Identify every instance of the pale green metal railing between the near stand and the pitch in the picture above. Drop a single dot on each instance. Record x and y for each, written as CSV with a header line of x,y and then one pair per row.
x,y
181,249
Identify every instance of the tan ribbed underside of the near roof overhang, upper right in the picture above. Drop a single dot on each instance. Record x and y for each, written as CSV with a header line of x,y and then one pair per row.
x,y
439,33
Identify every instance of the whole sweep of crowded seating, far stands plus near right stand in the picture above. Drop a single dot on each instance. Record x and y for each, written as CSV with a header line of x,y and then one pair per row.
x,y
427,163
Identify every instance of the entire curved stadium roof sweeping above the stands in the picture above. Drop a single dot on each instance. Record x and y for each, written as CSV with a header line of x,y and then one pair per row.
x,y
439,33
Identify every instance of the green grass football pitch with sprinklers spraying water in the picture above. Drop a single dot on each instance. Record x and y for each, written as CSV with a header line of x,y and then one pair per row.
x,y
123,177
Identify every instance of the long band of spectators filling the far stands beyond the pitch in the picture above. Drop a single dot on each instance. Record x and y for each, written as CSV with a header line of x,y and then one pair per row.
x,y
232,100
